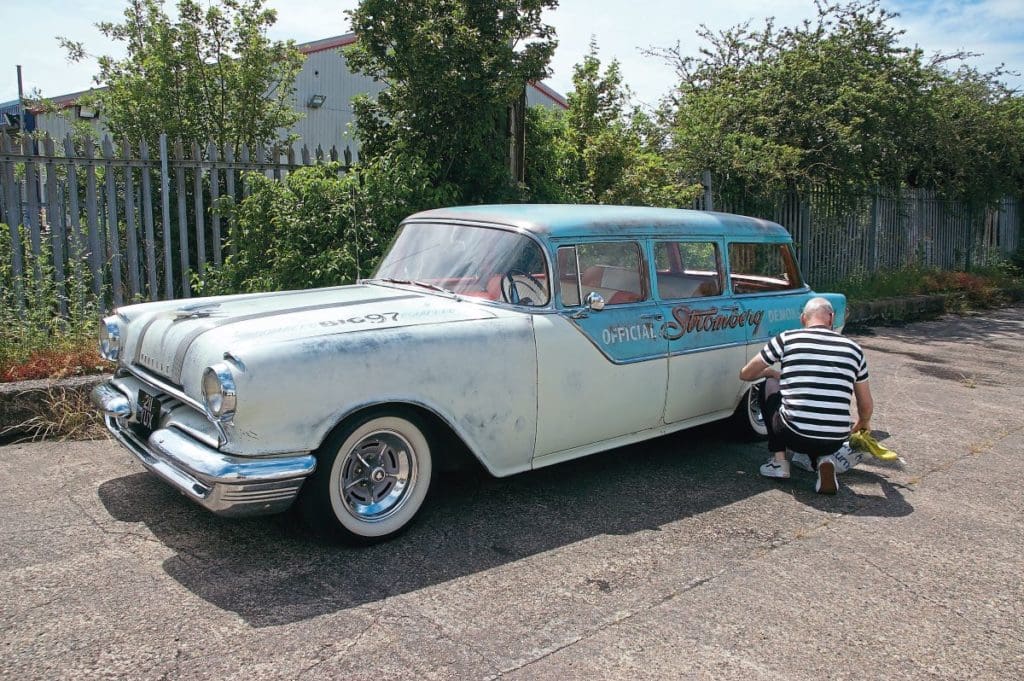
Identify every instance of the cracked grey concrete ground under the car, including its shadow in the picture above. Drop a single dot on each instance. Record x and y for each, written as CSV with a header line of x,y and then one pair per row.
x,y
671,560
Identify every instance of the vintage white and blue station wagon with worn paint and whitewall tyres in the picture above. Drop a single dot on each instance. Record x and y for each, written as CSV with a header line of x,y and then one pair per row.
x,y
529,335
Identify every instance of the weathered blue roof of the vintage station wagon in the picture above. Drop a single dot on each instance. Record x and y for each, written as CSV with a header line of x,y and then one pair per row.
x,y
567,221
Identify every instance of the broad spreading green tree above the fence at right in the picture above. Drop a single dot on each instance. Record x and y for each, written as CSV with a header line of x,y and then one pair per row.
x,y
836,101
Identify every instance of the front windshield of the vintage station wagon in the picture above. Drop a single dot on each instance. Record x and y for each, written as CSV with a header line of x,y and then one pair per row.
x,y
481,263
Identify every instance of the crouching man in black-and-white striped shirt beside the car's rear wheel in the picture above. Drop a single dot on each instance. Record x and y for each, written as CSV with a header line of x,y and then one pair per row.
x,y
806,406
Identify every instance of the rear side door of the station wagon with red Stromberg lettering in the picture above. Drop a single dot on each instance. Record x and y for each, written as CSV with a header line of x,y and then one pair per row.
x,y
706,328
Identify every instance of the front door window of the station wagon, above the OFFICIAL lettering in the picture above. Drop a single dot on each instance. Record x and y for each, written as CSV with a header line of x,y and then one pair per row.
x,y
614,270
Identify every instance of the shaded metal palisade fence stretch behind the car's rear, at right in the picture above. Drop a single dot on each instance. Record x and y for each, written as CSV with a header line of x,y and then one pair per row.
x,y
839,237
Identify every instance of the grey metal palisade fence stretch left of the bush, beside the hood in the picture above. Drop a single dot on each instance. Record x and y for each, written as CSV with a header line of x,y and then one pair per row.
x,y
132,224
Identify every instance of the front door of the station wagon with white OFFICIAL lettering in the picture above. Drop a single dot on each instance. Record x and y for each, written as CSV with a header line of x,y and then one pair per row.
x,y
602,371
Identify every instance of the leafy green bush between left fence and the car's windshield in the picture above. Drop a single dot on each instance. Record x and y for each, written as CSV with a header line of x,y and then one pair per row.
x,y
320,227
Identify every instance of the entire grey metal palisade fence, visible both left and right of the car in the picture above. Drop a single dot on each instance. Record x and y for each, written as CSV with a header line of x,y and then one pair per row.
x,y
133,225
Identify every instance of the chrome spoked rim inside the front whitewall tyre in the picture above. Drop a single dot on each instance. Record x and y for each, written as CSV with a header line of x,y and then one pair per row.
x,y
377,477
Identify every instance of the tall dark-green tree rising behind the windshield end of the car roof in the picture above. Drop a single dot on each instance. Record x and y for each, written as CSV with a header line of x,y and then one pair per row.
x,y
453,68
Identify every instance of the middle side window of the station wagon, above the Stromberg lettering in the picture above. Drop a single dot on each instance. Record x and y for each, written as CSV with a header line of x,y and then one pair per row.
x,y
689,270
